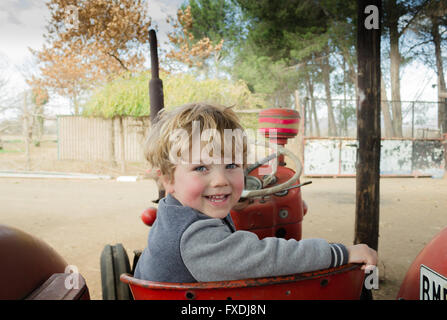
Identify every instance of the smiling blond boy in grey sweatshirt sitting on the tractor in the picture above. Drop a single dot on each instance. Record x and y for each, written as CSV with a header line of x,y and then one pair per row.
x,y
193,238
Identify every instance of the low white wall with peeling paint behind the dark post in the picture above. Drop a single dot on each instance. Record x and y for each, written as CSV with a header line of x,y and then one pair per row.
x,y
398,157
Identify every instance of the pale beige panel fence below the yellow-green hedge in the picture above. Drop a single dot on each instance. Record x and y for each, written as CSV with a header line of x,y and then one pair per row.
x,y
81,138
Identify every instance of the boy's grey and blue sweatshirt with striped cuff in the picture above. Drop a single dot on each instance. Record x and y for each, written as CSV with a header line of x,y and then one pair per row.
x,y
184,245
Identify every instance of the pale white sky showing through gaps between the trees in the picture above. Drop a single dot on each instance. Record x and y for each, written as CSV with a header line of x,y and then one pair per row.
x,y
22,25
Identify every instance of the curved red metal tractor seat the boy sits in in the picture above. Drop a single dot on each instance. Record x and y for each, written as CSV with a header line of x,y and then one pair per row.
x,y
340,283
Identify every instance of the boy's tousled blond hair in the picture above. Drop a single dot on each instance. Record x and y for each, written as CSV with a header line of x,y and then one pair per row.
x,y
159,145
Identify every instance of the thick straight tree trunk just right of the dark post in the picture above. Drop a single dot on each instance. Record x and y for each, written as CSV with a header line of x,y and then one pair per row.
x,y
395,60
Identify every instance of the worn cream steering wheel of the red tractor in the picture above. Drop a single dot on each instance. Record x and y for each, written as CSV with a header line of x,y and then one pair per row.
x,y
247,193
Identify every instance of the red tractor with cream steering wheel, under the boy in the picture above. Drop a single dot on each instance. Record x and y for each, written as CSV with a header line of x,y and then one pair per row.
x,y
275,209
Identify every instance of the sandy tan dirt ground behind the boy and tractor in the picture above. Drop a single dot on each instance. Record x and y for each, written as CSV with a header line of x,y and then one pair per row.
x,y
79,217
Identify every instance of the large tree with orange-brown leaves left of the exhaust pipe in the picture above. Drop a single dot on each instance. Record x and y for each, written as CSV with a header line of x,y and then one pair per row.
x,y
106,40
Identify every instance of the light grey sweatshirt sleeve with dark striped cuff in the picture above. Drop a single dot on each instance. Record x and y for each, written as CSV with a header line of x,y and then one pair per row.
x,y
211,252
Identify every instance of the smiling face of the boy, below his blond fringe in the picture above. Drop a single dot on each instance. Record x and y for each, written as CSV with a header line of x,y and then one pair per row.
x,y
212,189
